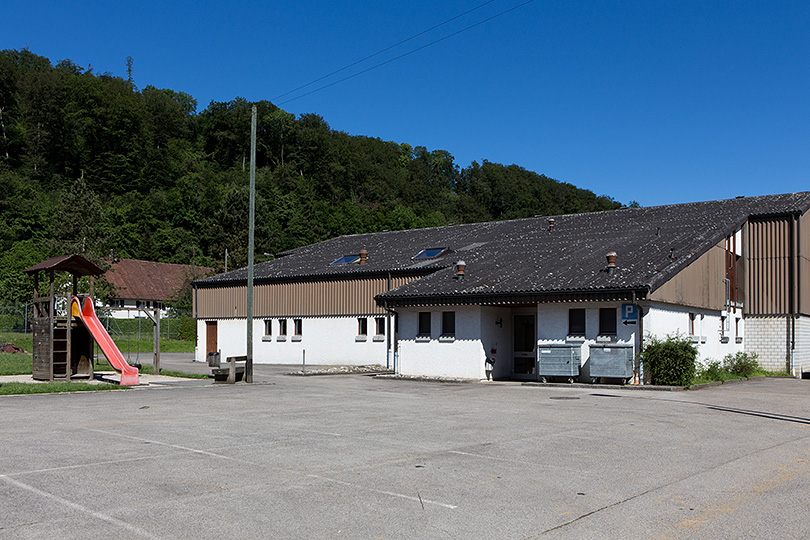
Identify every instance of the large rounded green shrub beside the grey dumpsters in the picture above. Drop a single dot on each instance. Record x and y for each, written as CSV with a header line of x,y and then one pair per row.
x,y
670,361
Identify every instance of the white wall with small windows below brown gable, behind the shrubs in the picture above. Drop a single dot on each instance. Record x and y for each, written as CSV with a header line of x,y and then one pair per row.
x,y
661,320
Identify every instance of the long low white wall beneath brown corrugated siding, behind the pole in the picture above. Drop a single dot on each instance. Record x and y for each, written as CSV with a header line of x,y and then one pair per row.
x,y
326,340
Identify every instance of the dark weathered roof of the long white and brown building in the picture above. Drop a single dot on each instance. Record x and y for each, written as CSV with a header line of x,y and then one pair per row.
x,y
525,257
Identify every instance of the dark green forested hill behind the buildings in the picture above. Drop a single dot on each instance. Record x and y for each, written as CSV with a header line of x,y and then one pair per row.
x,y
90,163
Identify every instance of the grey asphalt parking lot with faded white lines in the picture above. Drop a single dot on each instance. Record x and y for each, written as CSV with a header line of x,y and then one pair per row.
x,y
355,457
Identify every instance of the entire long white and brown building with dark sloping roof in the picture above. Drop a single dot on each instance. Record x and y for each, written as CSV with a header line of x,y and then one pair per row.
x,y
569,297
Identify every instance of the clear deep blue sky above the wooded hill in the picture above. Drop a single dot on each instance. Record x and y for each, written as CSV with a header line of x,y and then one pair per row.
x,y
658,102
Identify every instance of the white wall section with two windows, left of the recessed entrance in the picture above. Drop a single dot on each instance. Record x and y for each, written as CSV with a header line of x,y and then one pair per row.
x,y
436,356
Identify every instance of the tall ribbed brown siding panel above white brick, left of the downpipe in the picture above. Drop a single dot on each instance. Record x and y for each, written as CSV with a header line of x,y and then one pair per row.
x,y
768,263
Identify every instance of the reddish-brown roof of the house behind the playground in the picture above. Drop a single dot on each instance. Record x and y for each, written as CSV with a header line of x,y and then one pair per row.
x,y
154,281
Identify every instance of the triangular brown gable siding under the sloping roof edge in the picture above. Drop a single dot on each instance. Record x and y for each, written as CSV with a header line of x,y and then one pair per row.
x,y
700,284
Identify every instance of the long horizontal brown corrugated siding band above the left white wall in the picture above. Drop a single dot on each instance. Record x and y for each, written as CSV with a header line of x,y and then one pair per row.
x,y
300,298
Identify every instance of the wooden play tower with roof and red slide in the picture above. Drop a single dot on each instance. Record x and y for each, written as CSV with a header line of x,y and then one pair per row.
x,y
65,327
